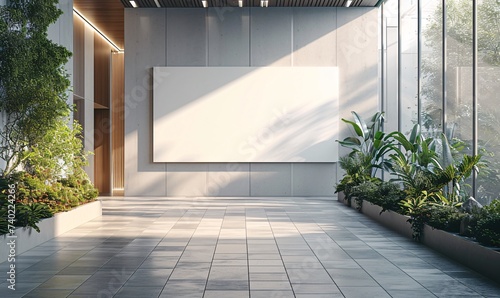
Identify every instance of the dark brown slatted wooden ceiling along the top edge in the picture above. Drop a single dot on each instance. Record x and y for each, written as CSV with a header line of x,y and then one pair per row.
x,y
107,15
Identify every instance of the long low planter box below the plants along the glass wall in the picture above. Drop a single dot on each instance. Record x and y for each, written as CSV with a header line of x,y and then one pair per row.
x,y
482,259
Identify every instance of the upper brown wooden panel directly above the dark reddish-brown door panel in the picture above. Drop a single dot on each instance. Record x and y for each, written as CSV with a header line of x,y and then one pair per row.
x,y
102,71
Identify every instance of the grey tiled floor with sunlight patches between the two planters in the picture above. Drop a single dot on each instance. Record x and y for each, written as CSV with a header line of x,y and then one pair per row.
x,y
237,247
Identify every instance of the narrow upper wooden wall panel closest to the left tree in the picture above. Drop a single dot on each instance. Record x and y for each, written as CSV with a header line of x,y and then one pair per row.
x,y
78,57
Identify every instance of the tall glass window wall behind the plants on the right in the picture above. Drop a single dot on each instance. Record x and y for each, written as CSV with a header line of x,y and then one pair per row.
x,y
436,46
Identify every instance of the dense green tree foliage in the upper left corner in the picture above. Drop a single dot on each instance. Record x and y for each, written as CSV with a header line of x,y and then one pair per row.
x,y
33,81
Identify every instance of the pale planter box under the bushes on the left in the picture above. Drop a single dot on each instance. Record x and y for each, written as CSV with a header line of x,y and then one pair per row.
x,y
27,238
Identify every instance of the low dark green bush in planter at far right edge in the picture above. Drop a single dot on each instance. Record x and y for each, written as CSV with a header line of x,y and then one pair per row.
x,y
487,228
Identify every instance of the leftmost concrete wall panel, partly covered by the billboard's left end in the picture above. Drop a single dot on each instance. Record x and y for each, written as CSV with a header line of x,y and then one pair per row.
x,y
144,50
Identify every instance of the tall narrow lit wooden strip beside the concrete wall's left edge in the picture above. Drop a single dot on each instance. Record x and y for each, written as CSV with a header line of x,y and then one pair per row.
x,y
117,122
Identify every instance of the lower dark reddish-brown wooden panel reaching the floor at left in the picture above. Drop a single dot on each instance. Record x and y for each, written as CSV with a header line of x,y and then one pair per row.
x,y
102,154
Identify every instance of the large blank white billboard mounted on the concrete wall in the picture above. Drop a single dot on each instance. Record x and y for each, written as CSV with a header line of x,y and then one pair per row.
x,y
245,114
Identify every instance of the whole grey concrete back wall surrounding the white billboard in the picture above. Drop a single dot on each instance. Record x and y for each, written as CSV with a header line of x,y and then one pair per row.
x,y
231,36
